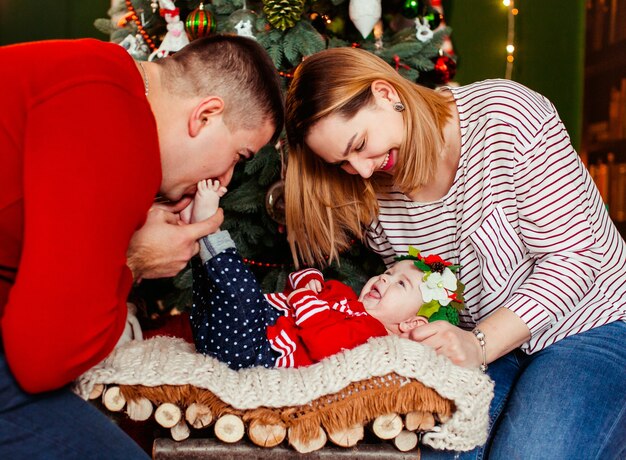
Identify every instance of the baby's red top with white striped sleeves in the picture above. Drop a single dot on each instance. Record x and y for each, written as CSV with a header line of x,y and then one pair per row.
x,y
322,325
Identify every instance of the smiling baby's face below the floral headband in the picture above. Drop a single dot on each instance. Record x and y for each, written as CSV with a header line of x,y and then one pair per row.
x,y
394,296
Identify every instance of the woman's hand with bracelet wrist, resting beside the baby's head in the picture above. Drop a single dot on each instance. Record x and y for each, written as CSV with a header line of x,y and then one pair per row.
x,y
461,347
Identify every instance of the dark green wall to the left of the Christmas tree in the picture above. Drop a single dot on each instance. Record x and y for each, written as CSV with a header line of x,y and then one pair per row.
x,y
29,20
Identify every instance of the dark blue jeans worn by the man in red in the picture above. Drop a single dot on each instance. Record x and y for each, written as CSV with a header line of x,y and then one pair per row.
x,y
56,425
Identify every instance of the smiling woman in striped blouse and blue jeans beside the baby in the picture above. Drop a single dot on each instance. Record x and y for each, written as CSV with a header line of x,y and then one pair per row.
x,y
484,175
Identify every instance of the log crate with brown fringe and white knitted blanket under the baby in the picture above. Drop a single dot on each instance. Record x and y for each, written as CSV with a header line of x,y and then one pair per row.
x,y
396,389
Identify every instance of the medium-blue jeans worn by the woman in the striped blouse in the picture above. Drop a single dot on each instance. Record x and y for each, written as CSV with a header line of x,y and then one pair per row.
x,y
565,402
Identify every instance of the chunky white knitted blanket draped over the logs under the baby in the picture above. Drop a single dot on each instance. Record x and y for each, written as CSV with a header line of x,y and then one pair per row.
x,y
170,361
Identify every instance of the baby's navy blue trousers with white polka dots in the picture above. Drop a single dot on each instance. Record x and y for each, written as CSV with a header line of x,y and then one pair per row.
x,y
229,314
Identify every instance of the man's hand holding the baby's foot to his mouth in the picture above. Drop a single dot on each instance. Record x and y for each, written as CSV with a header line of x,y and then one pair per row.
x,y
165,243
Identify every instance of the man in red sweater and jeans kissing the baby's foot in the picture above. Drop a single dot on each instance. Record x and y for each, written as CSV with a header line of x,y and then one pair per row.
x,y
88,138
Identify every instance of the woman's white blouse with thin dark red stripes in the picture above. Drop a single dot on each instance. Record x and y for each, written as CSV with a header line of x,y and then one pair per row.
x,y
523,218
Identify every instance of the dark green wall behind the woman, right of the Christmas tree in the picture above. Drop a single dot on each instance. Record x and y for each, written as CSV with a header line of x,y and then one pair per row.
x,y
549,56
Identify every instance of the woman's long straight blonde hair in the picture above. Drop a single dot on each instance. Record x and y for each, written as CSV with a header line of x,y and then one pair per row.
x,y
326,207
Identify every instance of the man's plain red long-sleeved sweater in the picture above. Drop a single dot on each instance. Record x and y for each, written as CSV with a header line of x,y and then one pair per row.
x,y
79,168
